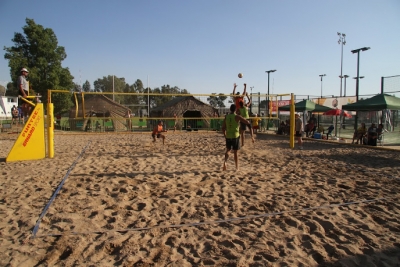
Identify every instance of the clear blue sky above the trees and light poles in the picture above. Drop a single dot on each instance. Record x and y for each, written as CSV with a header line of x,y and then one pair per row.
x,y
202,45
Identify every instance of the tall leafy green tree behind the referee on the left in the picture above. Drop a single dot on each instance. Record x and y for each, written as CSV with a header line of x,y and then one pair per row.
x,y
37,49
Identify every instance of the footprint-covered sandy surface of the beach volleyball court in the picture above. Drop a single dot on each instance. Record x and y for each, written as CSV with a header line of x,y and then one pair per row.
x,y
129,202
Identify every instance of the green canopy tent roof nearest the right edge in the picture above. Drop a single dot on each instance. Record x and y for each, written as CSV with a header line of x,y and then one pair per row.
x,y
375,103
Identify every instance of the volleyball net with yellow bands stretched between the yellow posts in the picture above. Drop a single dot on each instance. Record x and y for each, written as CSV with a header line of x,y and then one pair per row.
x,y
130,112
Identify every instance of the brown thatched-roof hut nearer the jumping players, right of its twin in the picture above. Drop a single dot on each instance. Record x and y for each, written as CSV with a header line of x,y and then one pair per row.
x,y
185,107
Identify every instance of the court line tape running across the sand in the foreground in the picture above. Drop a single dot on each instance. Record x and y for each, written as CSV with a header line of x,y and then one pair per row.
x,y
215,222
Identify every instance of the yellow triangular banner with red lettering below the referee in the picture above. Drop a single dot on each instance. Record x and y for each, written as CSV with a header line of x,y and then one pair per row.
x,y
30,144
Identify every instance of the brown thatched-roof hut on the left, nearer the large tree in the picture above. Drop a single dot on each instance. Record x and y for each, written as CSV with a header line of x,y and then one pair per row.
x,y
98,106
